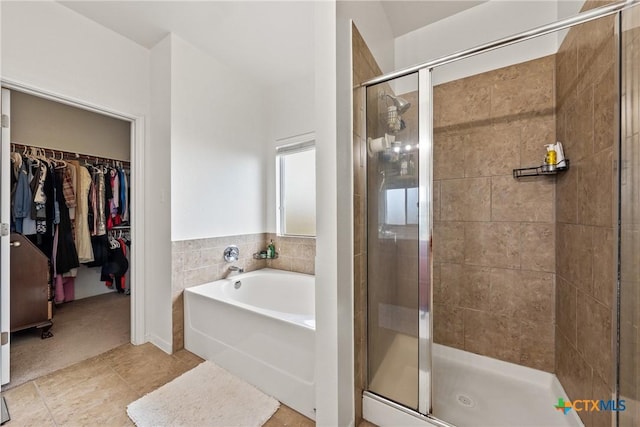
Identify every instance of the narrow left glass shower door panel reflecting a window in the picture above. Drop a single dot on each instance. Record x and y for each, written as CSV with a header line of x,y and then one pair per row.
x,y
398,337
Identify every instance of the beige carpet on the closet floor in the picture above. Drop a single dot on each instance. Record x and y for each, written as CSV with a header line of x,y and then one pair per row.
x,y
81,329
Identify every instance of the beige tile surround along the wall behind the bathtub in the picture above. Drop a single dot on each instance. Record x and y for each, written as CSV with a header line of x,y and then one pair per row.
x,y
199,261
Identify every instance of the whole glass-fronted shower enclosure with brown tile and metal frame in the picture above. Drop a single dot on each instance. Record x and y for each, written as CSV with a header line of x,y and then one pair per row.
x,y
497,292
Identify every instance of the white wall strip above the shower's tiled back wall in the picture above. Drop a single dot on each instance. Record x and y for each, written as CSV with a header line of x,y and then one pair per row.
x,y
481,24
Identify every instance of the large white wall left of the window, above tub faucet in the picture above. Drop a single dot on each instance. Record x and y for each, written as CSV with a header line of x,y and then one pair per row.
x,y
218,144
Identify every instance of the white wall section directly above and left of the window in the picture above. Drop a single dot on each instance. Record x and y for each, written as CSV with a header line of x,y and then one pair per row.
x,y
291,112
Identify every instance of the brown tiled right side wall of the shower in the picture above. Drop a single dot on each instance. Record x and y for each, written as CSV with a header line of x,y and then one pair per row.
x,y
586,104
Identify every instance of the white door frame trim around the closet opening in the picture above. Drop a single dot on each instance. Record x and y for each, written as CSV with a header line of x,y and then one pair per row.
x,y
137,147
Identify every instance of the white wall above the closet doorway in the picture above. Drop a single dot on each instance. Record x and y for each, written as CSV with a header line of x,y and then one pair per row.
x,y
48,46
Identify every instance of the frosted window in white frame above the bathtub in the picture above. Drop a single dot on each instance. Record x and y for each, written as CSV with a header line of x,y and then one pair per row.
x,y
296,188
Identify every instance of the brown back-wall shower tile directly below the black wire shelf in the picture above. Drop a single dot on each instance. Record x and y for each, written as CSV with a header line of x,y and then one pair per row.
x,y
522,200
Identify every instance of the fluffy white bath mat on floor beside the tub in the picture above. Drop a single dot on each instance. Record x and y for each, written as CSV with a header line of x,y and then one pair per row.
x,y
207,395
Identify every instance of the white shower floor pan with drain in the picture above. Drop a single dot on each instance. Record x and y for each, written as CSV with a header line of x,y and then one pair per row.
x,y
470,390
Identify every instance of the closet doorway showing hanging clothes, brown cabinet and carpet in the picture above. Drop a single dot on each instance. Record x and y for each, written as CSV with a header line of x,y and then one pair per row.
x,y
86,303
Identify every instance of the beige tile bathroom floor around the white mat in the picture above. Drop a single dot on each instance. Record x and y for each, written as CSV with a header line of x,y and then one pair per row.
x,y
98,390
